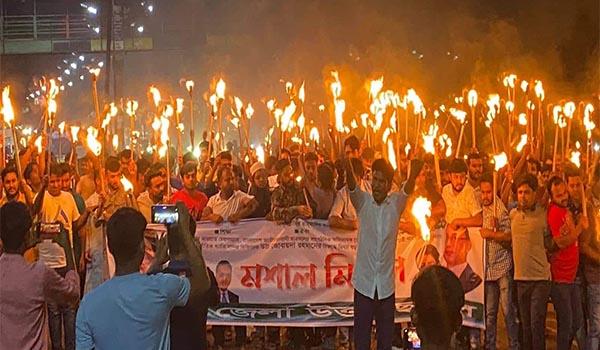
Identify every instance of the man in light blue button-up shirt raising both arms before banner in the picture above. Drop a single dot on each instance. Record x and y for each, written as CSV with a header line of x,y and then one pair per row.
x,y
373,276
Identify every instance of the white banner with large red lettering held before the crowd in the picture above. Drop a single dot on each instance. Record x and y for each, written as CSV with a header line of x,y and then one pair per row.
x,y
300,274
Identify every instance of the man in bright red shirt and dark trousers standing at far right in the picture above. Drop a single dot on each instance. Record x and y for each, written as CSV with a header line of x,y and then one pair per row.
x,y
565,294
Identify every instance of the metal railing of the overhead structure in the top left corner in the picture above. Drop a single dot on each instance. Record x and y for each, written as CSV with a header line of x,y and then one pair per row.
x,y
45,27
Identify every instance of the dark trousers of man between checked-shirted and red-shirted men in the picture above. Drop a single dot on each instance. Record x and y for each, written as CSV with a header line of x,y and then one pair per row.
x,y
533,306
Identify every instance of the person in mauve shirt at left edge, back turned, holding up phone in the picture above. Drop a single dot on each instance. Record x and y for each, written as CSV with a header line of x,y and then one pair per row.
x,y
26,288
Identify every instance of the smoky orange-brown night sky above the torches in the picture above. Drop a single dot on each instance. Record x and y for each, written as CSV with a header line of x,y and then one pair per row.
x,y
437,47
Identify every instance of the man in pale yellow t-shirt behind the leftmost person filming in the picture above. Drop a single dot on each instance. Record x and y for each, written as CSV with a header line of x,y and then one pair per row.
x,y
59,206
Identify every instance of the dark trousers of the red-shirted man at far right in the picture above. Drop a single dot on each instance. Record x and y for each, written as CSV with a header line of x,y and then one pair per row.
x,y
566,298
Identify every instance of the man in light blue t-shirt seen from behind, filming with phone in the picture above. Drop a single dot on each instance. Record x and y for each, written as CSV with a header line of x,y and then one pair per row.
x,y
131,310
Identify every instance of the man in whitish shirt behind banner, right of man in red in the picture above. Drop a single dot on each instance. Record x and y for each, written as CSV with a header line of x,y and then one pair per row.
x,y
229,204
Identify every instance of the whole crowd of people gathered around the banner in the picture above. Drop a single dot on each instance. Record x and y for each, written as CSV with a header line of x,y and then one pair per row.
x,y
72,231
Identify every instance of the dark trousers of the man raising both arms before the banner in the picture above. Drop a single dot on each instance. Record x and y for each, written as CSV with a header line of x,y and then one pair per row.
x,y
367,309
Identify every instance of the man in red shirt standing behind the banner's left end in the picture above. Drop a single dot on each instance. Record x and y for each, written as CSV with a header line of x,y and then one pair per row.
x,y
193,199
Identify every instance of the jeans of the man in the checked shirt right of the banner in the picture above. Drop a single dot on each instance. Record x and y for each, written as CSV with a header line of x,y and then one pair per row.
x,y
499,293
